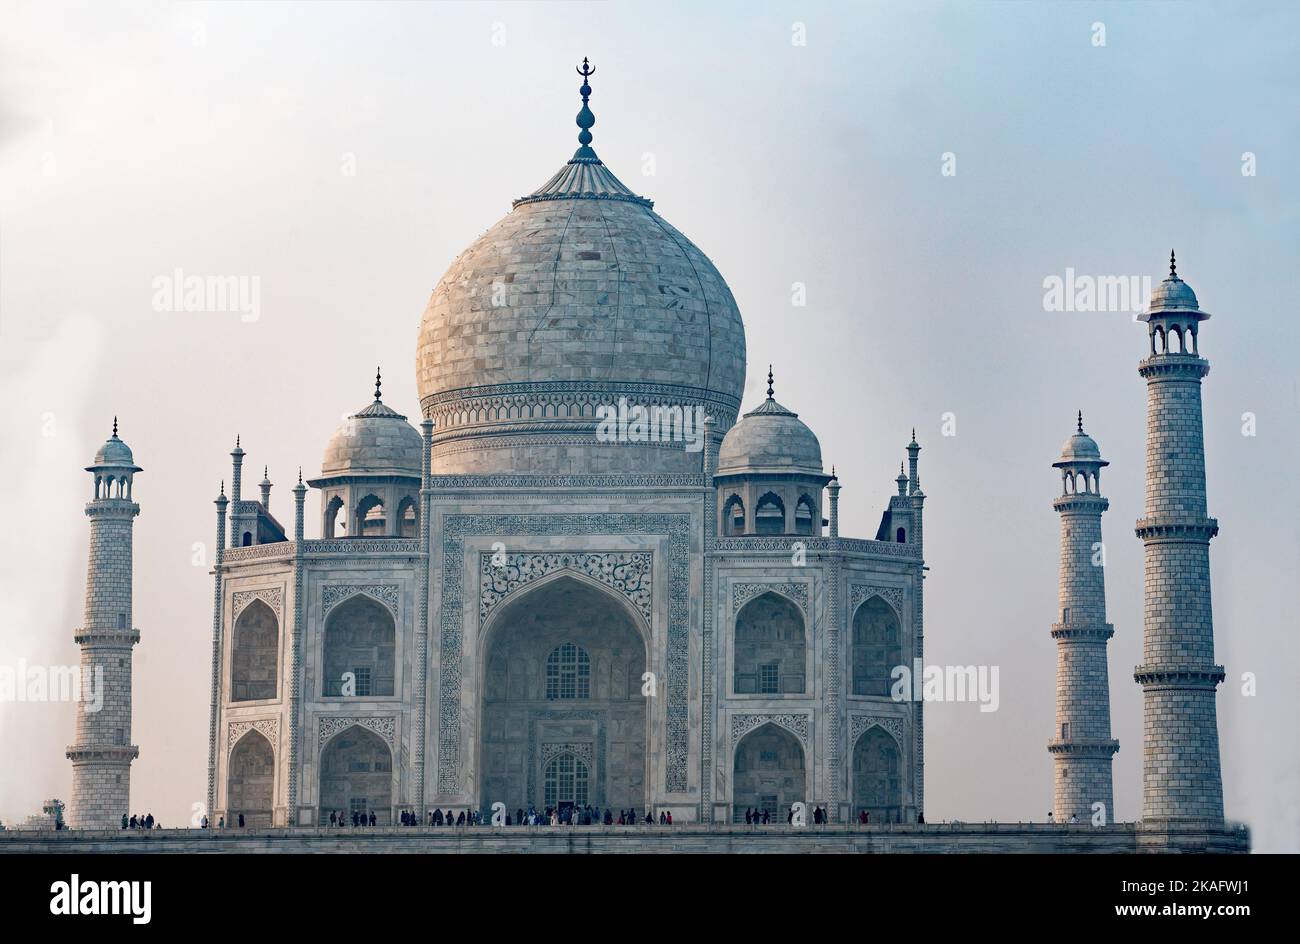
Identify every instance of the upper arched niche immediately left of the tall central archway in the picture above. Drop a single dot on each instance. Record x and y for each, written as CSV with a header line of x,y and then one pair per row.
x,y
361,642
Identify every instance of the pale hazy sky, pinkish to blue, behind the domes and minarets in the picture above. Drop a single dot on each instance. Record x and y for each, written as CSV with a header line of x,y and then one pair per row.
x,y
142,138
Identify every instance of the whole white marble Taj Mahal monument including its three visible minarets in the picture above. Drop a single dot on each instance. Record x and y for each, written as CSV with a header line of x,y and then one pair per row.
x,y
502,603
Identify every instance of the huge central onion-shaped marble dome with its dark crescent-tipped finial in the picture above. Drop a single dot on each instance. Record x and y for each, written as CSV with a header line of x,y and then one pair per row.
x,y
579,297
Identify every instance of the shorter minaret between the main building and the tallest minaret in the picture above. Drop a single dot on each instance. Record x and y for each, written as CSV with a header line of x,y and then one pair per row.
x,y
1082,746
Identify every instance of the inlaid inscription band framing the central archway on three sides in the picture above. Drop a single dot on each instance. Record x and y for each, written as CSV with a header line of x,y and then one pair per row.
x,y
678,711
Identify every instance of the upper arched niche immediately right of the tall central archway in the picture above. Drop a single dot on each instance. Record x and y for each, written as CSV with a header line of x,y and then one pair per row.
x,y
770,648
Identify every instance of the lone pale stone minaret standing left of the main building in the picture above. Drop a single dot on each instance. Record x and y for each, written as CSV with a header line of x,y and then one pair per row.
x,y
103,752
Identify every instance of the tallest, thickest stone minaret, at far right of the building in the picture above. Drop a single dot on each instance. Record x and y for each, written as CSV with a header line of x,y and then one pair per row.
x,y
1181,756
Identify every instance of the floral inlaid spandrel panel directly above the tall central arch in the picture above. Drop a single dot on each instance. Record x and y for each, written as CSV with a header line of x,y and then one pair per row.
x,y
626,573
